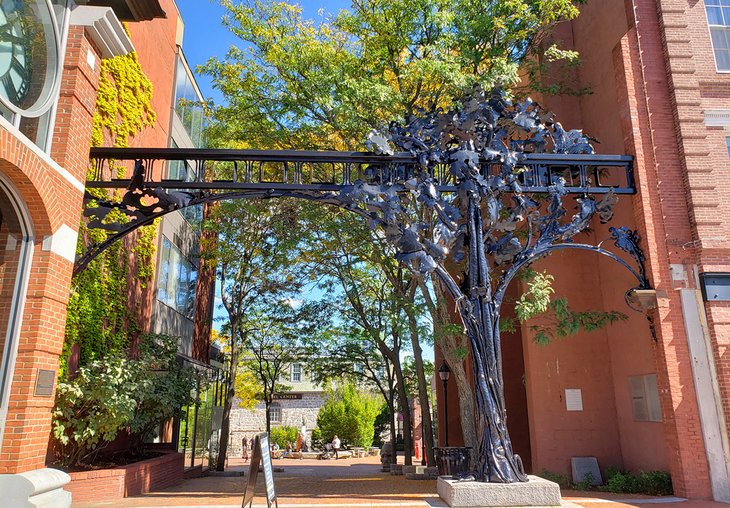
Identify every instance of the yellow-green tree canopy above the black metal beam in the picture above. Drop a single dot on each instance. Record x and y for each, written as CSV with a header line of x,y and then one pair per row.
x,y
299,83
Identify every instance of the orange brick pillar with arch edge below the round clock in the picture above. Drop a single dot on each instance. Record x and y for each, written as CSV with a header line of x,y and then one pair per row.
x,y
53,194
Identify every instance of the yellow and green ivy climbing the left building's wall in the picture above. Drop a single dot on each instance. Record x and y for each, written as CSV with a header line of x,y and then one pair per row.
x,y
100,319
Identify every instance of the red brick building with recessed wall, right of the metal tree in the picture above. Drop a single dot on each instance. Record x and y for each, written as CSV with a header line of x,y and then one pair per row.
x,y
630,398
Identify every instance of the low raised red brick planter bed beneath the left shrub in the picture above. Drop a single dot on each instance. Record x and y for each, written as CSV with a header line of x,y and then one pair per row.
x,y
130,480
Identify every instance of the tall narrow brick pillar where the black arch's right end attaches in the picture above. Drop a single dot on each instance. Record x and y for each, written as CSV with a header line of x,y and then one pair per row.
x,y
661,211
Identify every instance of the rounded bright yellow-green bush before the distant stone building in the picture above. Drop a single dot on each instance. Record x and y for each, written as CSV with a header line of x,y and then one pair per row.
x,y
349,414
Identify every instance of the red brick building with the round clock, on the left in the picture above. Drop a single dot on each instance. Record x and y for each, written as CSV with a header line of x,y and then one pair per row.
x,y
46,108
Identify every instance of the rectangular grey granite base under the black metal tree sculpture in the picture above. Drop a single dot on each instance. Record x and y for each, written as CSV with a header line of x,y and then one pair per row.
x,y
536,492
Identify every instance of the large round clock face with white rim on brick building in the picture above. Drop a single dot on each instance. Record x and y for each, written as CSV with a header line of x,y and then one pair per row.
x,y
28,55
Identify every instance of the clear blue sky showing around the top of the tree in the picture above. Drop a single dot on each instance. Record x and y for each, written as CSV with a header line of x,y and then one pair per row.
x,y
205,36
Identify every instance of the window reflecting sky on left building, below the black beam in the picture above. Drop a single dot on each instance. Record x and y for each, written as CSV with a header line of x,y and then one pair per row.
x,y
177,279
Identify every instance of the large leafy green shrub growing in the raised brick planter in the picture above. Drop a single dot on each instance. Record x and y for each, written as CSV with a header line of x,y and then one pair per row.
x,y
116,394
